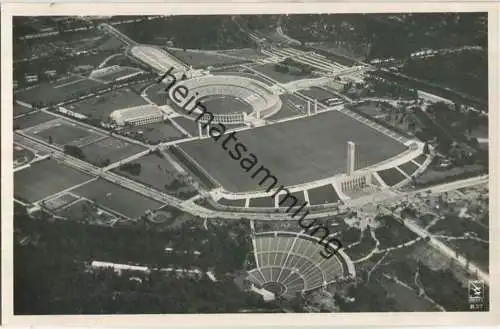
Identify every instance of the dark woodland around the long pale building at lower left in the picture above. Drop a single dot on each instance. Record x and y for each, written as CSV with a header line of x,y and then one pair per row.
x,y
51,275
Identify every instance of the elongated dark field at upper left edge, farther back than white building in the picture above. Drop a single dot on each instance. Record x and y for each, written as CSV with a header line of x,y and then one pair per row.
x,y
57,91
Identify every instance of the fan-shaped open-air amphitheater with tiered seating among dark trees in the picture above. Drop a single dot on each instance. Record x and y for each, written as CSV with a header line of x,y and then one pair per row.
x,y
291,263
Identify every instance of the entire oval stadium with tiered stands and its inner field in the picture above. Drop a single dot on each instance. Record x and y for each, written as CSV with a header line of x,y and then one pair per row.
x,y
232,99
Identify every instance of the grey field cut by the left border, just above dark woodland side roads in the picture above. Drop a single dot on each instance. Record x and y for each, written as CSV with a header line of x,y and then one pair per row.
x,y
45,178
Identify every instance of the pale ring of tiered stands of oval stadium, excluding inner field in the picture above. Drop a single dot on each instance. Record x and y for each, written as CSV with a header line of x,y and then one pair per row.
x,y
260,97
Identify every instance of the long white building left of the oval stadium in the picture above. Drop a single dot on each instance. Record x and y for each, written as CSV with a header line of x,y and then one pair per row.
x,y
139,115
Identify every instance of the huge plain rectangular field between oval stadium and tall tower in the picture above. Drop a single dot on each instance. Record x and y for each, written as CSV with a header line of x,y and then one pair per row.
x,y
296,151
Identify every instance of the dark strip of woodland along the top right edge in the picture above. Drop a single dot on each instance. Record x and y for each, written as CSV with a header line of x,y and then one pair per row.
x,y
388,37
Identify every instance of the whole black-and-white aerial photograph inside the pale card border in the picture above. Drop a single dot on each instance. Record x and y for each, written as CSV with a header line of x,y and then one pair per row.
x,y
302,163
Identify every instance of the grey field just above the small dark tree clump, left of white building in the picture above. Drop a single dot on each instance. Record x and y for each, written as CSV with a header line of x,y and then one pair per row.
x,y
63,132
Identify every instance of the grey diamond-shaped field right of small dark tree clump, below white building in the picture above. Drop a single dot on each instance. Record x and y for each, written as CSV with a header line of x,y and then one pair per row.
x,y
110,148
